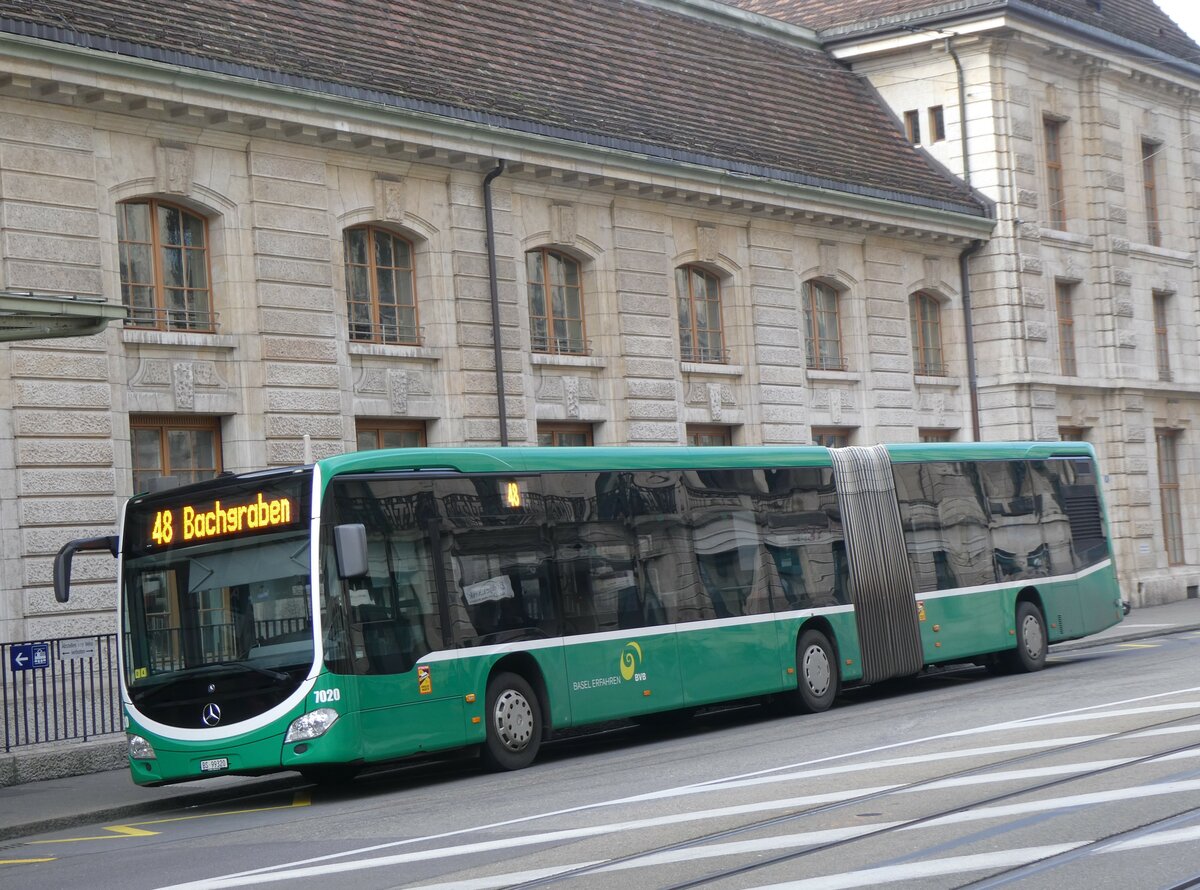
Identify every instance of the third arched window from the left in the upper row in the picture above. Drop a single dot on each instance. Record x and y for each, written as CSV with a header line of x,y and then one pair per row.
x,y
556,304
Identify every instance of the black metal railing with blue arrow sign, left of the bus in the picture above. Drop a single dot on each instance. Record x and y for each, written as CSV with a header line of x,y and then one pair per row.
x,y
59,690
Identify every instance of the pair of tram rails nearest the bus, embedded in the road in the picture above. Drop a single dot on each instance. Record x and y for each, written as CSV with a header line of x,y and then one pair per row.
x,y
892,828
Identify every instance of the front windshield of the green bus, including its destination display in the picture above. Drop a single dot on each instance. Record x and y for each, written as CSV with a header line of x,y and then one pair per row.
x,y
217,604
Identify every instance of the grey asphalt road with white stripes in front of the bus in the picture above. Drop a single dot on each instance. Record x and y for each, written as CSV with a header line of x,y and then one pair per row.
x,y
1085,775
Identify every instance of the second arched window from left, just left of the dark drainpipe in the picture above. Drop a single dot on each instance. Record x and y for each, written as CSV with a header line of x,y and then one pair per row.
x,y
381,288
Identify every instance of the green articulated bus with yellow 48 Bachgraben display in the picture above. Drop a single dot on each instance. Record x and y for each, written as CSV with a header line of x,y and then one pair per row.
x,y
385,604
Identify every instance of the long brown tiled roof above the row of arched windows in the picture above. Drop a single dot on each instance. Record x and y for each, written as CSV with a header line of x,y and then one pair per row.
x,y
615,73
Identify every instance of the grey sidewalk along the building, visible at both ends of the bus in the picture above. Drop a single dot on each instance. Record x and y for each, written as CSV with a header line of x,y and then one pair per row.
x,y
110,796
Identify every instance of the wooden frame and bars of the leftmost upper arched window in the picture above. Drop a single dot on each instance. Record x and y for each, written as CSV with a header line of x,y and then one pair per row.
x,y
163,317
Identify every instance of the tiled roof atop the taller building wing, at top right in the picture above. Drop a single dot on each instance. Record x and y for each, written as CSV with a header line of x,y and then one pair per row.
x,y
1139,21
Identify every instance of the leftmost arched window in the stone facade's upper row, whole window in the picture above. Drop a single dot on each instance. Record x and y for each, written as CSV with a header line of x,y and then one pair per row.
x,y
165,267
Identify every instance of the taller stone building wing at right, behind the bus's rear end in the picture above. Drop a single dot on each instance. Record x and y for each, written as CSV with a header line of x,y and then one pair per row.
x,y
1083,128
